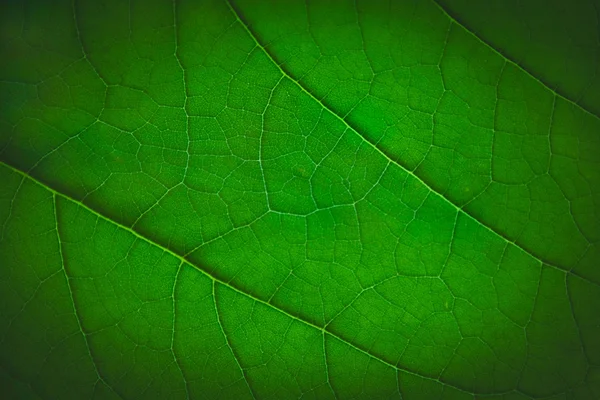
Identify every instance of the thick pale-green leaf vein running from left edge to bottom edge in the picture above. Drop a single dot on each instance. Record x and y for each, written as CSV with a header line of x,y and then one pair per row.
x,y
231,286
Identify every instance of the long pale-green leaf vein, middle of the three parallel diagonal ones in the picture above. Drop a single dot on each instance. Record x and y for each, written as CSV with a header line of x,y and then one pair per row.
x,y
239,16
